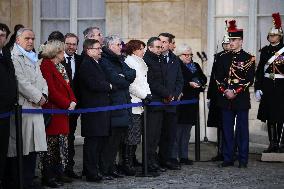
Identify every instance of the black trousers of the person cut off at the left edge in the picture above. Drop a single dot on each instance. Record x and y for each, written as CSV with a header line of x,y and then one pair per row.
x,y
4,143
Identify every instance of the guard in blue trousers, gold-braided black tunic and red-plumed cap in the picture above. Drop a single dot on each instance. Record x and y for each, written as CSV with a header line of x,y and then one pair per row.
x,y
234,76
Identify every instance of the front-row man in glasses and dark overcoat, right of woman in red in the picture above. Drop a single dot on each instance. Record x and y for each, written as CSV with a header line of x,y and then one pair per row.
x,y
95,92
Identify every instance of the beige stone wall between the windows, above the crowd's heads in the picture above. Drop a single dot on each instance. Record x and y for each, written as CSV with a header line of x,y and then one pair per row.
x,y
142,19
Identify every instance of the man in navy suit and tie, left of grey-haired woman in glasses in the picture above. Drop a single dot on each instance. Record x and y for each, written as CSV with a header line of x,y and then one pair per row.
x,y
173,81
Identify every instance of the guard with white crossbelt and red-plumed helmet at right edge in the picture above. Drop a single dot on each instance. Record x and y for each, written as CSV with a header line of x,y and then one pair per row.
x,y
269,85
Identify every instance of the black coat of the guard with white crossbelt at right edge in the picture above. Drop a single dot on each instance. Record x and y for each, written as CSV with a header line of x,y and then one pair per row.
x,y
271,106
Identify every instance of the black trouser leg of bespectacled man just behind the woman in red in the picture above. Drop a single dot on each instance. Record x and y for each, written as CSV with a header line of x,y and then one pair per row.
x,y
71,138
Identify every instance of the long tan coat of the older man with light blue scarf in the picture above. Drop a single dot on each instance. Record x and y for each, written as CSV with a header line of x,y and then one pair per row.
x,y
31,86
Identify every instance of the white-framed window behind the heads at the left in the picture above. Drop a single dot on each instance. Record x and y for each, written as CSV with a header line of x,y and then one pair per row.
x,y
67,16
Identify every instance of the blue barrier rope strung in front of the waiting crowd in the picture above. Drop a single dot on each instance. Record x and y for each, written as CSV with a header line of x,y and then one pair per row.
x,y
98,109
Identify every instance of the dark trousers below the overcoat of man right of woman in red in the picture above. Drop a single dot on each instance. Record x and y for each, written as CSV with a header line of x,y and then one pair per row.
x,y
92,150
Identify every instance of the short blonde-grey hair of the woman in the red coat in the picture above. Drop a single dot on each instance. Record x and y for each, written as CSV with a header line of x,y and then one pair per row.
x,y
52,48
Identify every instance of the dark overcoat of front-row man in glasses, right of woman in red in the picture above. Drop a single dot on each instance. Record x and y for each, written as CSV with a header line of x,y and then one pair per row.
x,y
95,92
